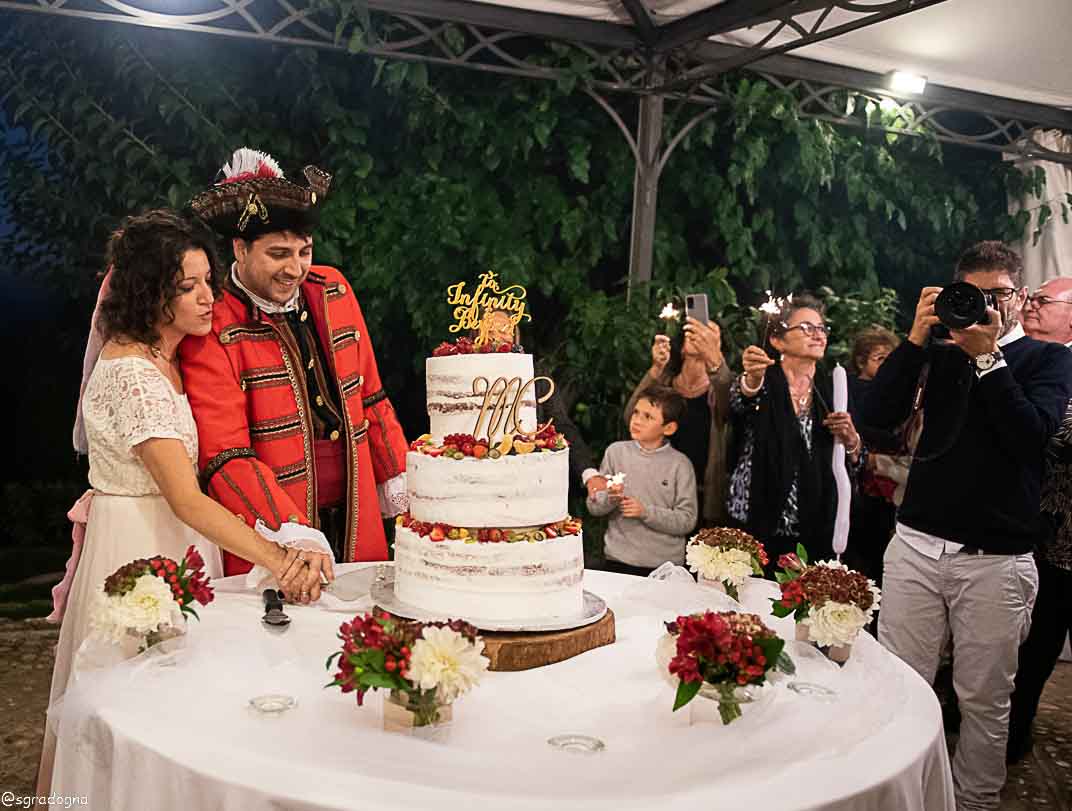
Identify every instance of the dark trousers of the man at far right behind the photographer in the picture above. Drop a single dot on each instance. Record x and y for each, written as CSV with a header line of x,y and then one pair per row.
x,y
1051,623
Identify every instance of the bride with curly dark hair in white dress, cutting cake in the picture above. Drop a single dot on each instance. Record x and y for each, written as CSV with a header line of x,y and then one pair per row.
x,y
142,439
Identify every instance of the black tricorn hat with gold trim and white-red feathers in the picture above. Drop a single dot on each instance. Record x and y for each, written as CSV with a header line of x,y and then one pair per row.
x,y
255,199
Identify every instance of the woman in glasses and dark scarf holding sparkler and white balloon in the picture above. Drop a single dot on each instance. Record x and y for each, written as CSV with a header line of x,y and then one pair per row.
x,y
782,489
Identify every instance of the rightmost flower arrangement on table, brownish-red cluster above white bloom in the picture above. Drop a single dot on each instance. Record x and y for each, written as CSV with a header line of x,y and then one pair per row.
x,y
829,599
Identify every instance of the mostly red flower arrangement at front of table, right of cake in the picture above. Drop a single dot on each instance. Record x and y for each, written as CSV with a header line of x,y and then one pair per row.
x,y
725,651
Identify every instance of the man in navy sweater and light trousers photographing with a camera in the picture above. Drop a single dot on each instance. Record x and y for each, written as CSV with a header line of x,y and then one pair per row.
x,y
961,562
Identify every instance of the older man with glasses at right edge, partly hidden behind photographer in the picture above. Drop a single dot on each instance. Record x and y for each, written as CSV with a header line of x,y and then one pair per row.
x,y
1048,317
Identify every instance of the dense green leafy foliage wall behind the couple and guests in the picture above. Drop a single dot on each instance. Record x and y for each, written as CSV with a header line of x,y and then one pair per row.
x,y
440,174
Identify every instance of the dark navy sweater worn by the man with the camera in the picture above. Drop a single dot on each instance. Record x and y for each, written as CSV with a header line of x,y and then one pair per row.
x,y
978,470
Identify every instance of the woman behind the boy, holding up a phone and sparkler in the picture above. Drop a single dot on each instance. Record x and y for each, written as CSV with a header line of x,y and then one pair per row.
x,y
698,372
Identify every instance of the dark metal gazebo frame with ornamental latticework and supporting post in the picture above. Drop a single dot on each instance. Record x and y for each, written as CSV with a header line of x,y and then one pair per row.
x,y
642,49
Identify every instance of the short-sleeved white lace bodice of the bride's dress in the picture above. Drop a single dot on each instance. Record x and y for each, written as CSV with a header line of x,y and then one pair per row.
x,y
128,401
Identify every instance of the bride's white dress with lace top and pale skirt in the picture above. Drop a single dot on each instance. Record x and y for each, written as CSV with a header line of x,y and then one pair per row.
x,y
127,401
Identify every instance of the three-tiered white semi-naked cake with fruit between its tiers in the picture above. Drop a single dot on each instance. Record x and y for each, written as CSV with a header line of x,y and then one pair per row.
x,y
487,537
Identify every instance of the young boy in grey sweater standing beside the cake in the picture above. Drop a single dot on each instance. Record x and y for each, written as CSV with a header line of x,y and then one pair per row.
x,y
654,508
